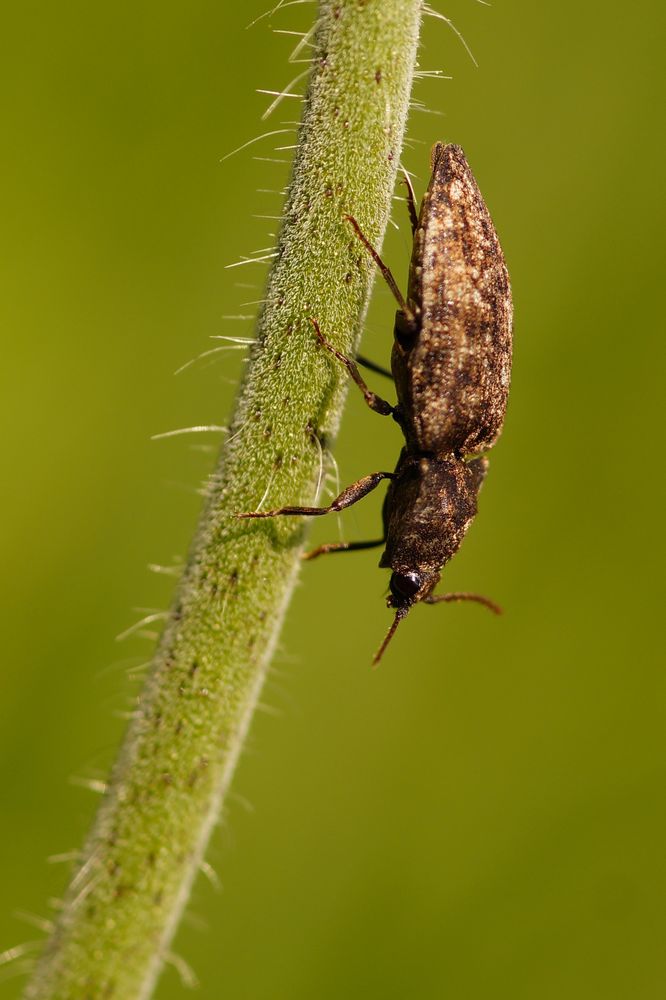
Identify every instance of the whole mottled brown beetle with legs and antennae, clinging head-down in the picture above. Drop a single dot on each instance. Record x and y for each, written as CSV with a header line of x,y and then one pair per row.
x,y
451,365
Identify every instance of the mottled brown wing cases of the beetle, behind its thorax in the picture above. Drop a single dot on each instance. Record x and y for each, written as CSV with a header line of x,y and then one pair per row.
x,y
452,364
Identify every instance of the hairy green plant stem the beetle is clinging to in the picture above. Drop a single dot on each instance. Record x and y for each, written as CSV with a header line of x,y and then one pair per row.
x,y
167,788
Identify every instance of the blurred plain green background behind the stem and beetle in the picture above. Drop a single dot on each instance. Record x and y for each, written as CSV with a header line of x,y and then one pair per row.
x,y
484,815
